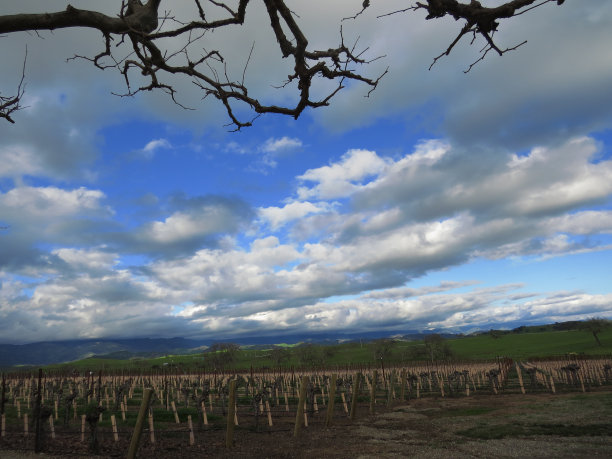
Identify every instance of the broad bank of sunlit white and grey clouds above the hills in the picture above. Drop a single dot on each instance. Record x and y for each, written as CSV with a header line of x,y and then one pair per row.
x,y
351,271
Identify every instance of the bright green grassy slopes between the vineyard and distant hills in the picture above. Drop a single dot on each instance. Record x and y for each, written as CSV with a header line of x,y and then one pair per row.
x,y
519,346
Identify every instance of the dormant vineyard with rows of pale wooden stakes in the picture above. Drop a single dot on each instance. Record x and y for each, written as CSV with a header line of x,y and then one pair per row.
x,y
187,415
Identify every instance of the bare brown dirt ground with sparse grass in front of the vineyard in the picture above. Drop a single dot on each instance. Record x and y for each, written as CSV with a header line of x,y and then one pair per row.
x,y
538,425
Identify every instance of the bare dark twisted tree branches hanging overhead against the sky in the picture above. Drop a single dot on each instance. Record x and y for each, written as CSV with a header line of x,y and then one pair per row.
x,y
140,42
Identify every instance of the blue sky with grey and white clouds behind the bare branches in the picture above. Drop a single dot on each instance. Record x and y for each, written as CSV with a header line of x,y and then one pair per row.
x,y
443,201
